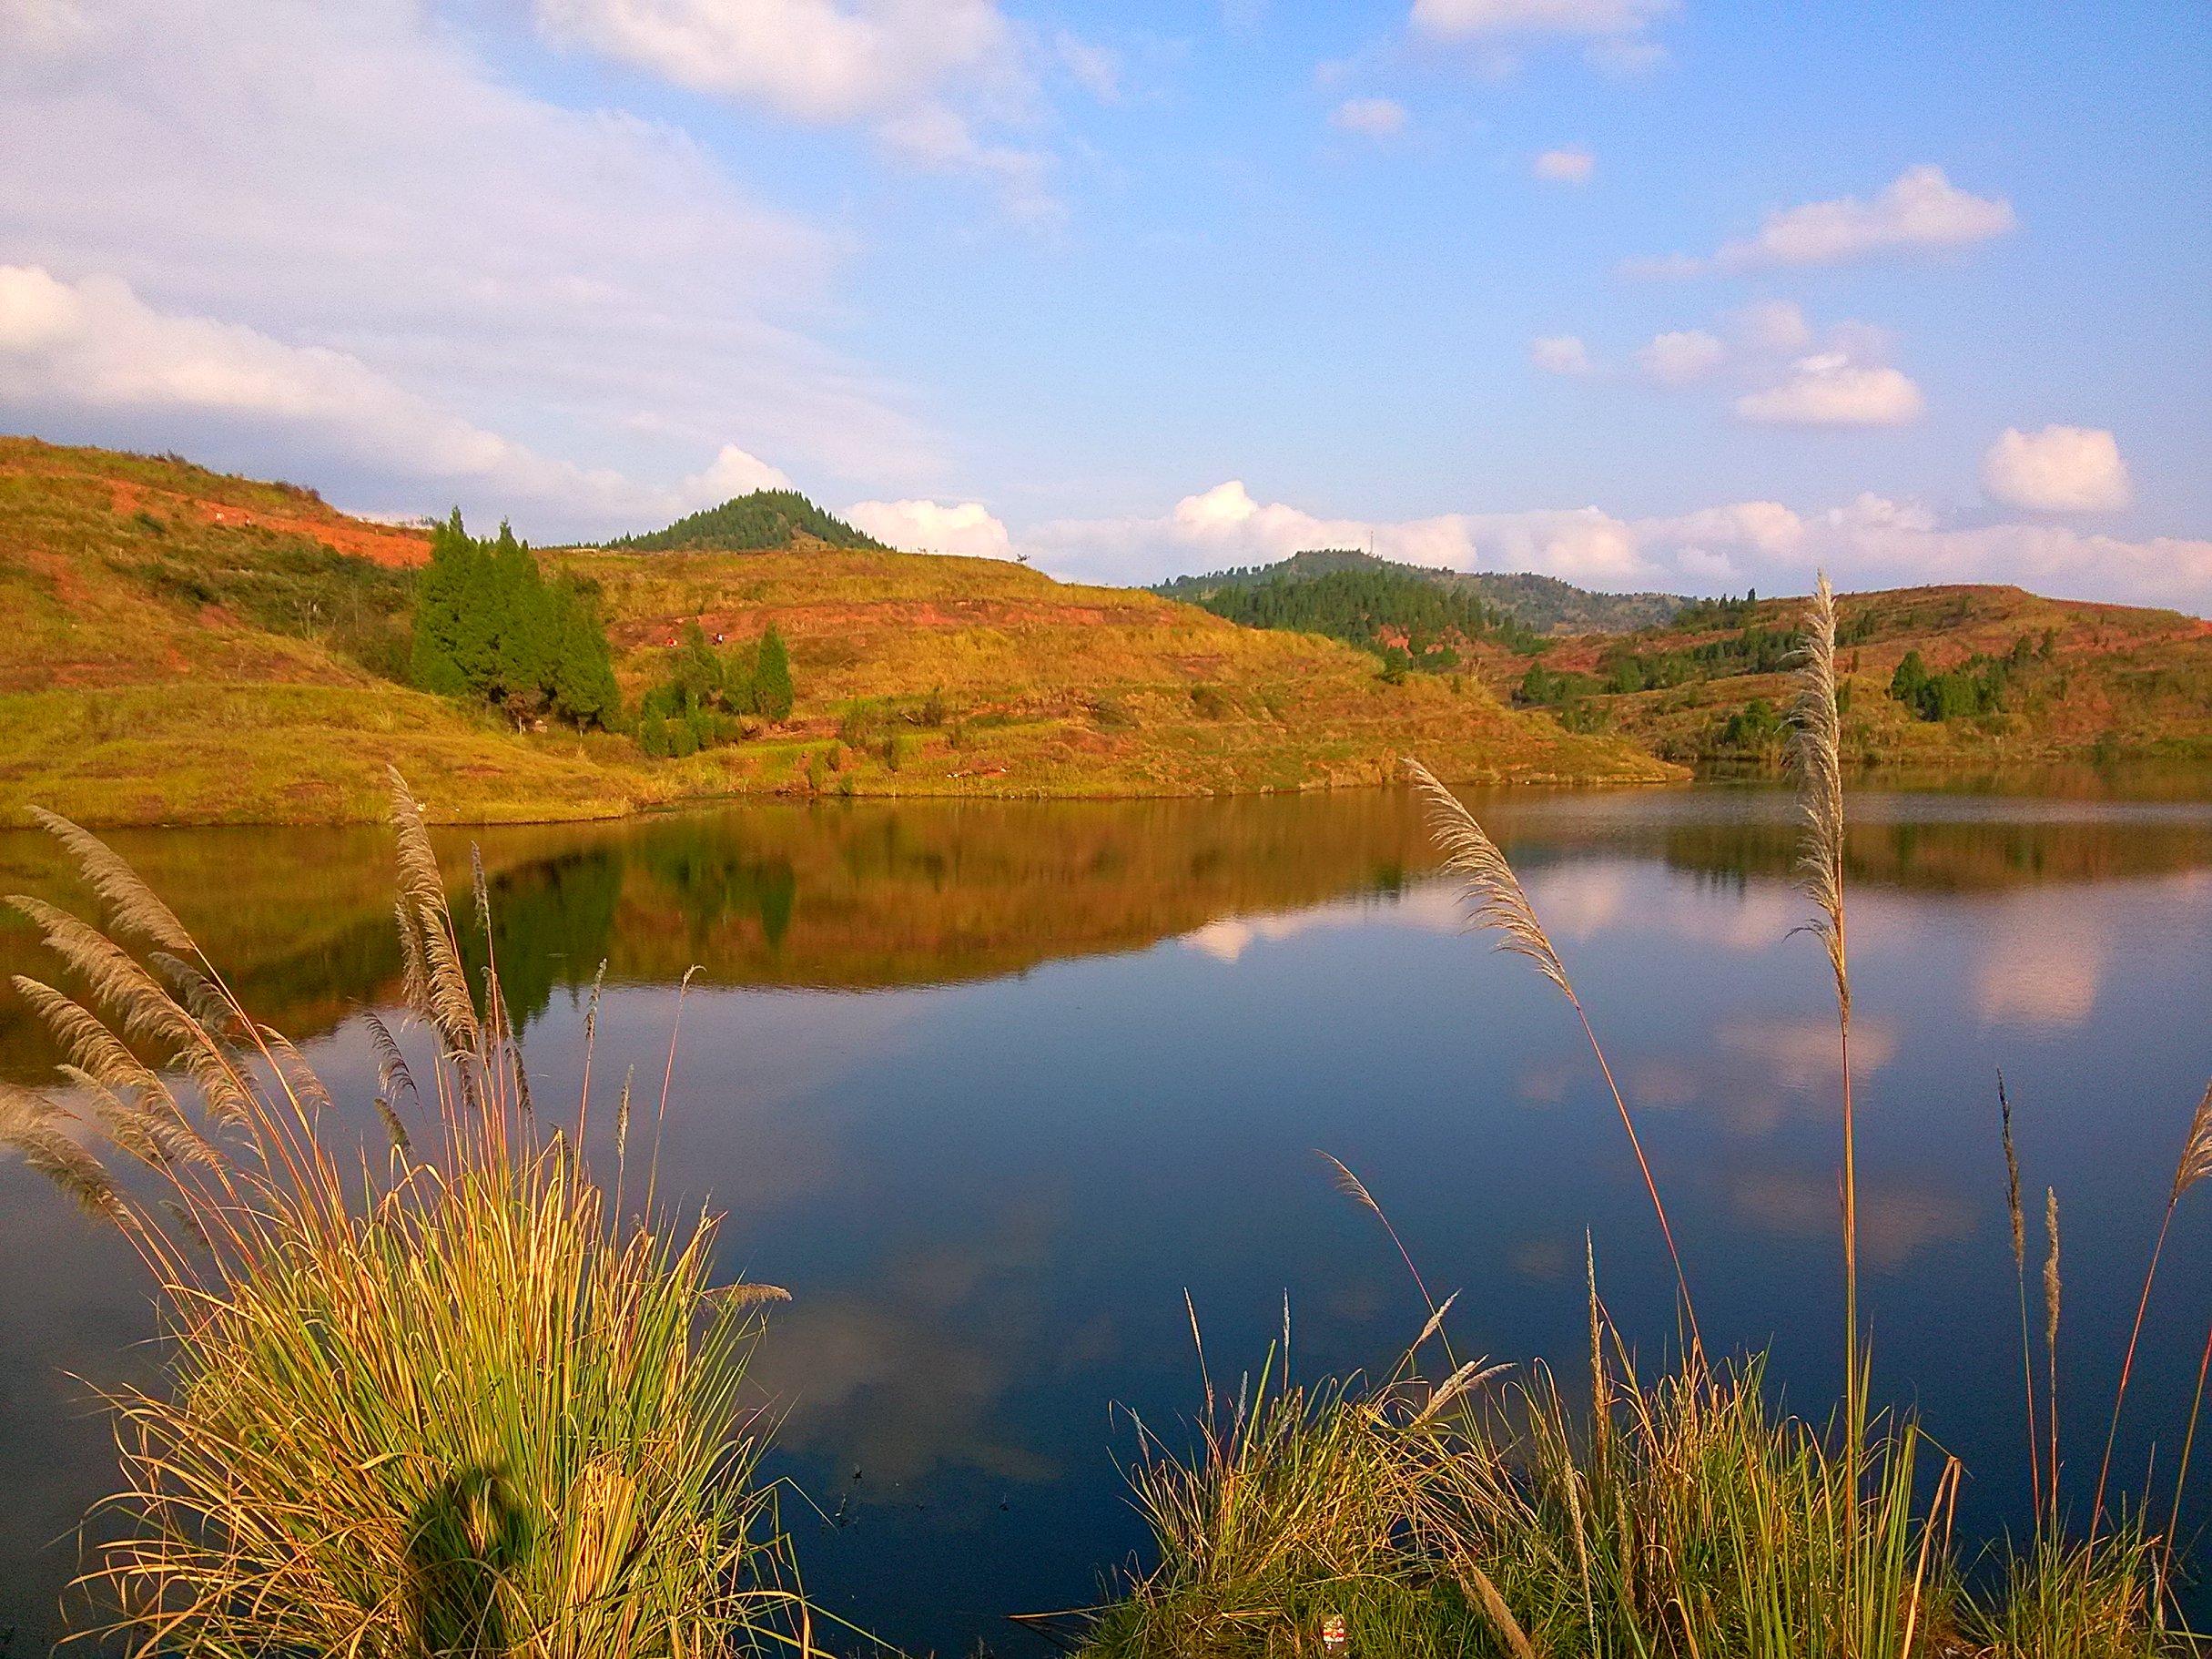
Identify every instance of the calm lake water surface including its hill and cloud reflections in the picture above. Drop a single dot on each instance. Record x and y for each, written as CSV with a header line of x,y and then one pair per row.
x,y
992,1087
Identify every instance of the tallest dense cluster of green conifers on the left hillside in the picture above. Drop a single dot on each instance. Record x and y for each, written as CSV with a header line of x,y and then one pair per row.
x,y
492,629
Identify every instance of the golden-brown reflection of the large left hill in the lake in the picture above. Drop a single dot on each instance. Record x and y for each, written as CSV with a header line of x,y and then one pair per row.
x,y
831,897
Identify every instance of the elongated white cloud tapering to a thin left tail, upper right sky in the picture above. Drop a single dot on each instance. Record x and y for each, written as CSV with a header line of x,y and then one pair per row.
x,y
1919,209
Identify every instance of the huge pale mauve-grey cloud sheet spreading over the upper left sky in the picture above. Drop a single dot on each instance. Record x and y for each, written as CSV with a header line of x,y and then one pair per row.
x,y
578,282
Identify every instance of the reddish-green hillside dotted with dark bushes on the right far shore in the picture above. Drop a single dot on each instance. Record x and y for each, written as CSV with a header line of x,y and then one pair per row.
x,y
2007,678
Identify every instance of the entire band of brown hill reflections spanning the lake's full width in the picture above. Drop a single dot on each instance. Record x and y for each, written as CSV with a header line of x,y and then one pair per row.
x,y
890,895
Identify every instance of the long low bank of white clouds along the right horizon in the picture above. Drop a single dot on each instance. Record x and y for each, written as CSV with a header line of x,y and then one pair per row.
x,y
1868,543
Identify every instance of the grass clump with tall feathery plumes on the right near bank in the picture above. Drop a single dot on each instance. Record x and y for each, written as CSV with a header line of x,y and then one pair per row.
x,y
1682,1514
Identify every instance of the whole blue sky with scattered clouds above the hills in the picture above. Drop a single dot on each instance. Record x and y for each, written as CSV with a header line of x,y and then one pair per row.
x,y
1665,295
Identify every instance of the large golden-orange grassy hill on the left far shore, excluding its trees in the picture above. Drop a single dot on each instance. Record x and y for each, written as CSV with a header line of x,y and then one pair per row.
x,y
202,649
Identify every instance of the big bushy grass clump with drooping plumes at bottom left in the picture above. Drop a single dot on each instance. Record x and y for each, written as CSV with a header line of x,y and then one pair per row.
x,y
428,1399
